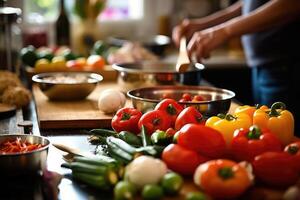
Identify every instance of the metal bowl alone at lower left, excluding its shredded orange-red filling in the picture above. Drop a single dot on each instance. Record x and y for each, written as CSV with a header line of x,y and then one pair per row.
x,y
24,163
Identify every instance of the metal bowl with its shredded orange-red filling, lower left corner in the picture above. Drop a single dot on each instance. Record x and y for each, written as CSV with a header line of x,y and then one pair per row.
x,y
23,154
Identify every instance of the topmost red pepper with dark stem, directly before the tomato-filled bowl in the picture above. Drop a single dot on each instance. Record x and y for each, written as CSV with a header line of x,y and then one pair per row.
x,y
170,107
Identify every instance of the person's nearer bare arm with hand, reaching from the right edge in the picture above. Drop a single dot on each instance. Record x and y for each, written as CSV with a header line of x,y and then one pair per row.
x,y
273,13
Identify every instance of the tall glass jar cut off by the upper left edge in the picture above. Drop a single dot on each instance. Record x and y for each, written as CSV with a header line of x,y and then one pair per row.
x,y
10,38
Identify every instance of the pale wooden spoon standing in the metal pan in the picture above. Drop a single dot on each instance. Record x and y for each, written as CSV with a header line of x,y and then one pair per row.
x,y
183,60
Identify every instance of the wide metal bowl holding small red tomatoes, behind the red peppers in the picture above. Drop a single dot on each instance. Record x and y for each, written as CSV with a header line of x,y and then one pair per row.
x,y
211,100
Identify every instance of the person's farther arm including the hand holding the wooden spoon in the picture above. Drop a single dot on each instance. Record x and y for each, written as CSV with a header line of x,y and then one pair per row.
x,y
189,26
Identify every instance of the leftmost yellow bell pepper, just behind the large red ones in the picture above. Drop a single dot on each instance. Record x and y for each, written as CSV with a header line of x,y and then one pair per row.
x,y
227,124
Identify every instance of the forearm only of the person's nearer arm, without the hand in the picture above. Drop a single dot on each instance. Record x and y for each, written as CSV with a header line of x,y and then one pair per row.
x,y
273,13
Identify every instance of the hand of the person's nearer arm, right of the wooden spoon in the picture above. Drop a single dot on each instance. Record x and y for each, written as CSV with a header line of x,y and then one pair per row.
x,y
203,42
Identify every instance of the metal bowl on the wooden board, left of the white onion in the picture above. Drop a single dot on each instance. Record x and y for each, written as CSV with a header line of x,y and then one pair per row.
x,y
64,91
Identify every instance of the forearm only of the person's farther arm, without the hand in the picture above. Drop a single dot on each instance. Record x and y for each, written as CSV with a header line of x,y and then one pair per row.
x,y
221,16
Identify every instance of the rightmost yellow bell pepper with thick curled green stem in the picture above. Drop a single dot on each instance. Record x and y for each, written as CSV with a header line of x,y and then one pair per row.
x,y
278,120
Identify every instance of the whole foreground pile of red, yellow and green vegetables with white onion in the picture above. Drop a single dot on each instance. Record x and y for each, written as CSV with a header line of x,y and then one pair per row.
x,y
225,154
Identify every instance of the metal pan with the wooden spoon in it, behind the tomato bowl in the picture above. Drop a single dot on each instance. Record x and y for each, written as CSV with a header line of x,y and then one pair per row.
x,y
146,74
